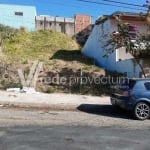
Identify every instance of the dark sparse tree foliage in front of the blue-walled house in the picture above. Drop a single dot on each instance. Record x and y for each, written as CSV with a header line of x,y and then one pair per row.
x,y
122,38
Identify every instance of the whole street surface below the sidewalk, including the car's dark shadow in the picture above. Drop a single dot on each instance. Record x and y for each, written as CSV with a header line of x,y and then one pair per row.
x,y
87,129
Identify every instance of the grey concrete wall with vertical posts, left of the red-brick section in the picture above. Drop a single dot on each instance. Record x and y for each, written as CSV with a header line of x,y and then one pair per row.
x,y
59,24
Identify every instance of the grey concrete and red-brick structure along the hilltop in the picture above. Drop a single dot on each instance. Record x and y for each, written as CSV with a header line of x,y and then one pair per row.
x,y
71,26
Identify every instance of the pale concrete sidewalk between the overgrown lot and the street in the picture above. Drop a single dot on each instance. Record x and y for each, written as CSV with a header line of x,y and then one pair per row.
x,y
57,101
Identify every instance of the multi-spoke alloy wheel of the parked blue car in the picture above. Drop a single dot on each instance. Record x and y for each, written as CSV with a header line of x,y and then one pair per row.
x,y
141,111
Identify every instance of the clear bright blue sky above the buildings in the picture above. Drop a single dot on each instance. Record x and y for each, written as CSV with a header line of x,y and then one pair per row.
x,y
68,8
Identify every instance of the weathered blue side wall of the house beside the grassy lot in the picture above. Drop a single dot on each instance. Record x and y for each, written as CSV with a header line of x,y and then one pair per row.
x,y
94,48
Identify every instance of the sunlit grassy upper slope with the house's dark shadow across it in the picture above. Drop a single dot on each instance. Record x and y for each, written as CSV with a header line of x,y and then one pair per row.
x,y
53,48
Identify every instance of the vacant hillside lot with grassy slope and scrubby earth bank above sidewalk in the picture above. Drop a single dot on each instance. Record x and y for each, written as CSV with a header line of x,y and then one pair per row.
x,y
60,54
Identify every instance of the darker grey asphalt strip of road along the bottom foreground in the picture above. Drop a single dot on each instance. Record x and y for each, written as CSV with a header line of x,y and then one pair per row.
x,y
73,138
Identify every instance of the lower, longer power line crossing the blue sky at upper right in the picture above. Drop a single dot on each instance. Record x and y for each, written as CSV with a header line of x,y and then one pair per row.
x,y
100,3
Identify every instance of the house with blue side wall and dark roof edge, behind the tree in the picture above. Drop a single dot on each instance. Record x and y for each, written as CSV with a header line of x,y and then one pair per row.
x,y
119,60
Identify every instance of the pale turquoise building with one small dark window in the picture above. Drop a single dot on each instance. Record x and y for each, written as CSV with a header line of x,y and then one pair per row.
x,y
17,16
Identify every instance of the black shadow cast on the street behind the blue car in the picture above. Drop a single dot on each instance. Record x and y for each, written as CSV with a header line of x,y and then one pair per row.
x,y
105,110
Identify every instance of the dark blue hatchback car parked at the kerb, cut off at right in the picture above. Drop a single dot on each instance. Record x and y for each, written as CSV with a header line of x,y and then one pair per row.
x,y
134,95
